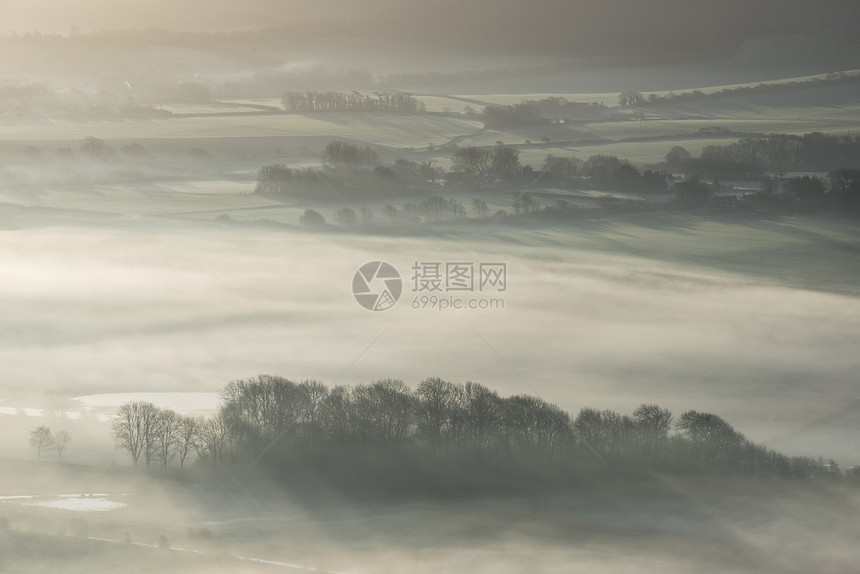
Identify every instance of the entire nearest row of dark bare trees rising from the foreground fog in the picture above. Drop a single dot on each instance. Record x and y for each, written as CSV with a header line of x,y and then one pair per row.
x,y
443,431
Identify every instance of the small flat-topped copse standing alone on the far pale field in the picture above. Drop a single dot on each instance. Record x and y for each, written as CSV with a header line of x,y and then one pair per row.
x,y
354,101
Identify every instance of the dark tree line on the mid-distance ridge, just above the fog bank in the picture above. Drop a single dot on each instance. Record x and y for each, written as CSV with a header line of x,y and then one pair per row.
x,y
352,171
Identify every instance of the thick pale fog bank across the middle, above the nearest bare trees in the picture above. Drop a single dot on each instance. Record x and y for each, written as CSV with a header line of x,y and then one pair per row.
x,y
93,310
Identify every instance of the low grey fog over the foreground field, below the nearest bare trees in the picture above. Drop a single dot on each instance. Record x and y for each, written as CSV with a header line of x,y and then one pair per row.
x,y
658,527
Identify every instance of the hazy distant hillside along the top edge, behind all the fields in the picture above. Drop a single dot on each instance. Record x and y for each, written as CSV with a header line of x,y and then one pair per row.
x,y
633,31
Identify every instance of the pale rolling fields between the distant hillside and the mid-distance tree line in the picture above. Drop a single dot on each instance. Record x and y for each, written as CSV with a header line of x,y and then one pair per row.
x,y
236,132
